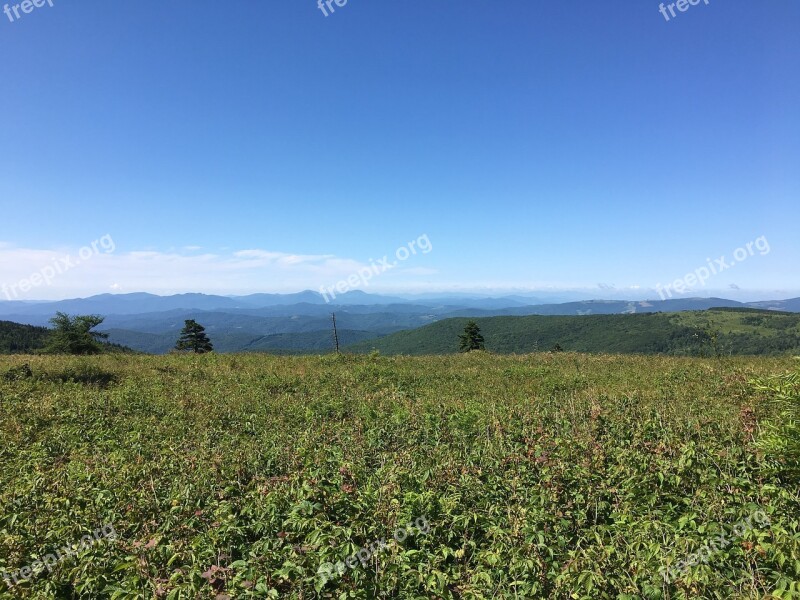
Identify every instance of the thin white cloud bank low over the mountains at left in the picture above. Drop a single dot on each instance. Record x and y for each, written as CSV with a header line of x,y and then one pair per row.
x,y
148,270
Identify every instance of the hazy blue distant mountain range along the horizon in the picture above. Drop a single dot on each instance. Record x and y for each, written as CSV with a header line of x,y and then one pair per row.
x,y
291,323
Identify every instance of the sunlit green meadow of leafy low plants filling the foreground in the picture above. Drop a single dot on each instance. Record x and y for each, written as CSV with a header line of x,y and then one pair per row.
x,y
540,476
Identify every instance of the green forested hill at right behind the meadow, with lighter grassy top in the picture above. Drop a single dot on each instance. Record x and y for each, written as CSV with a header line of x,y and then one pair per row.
x,y
723,331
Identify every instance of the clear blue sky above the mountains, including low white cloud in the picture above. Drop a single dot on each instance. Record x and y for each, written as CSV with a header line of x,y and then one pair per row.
x,y
261,146
